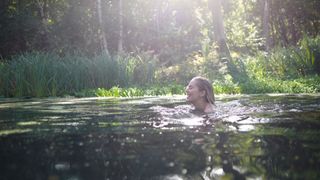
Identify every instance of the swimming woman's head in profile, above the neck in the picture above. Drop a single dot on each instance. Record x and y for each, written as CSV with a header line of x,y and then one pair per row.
x,y
200,88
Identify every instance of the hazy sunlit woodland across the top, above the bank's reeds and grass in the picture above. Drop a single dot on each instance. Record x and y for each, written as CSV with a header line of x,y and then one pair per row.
x,y
170,29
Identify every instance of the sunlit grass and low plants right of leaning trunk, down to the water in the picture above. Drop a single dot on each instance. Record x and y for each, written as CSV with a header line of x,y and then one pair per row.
x,y
284,70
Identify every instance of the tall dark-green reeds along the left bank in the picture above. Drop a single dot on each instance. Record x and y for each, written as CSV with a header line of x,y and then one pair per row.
x,y
40,74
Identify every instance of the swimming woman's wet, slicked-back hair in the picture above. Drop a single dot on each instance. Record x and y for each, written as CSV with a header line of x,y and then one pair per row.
x,y
205,85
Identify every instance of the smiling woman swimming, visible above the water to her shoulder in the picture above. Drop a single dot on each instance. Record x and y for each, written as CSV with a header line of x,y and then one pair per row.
x,y
200,94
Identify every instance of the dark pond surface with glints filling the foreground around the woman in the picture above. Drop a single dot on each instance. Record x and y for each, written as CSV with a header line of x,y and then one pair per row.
x,y
249,137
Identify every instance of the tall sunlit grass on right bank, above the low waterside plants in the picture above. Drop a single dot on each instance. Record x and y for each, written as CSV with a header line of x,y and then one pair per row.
x,y
290,62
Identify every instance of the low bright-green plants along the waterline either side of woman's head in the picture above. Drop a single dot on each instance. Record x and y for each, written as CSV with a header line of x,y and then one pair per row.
x,y
254,86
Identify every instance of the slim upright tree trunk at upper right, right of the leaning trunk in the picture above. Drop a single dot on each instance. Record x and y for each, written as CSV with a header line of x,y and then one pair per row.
x,y
266,30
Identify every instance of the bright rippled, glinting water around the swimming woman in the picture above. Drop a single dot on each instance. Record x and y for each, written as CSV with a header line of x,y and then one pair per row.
x,y
234,112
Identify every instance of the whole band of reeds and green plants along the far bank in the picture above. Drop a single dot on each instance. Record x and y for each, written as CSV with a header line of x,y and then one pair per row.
x,y
283,70
